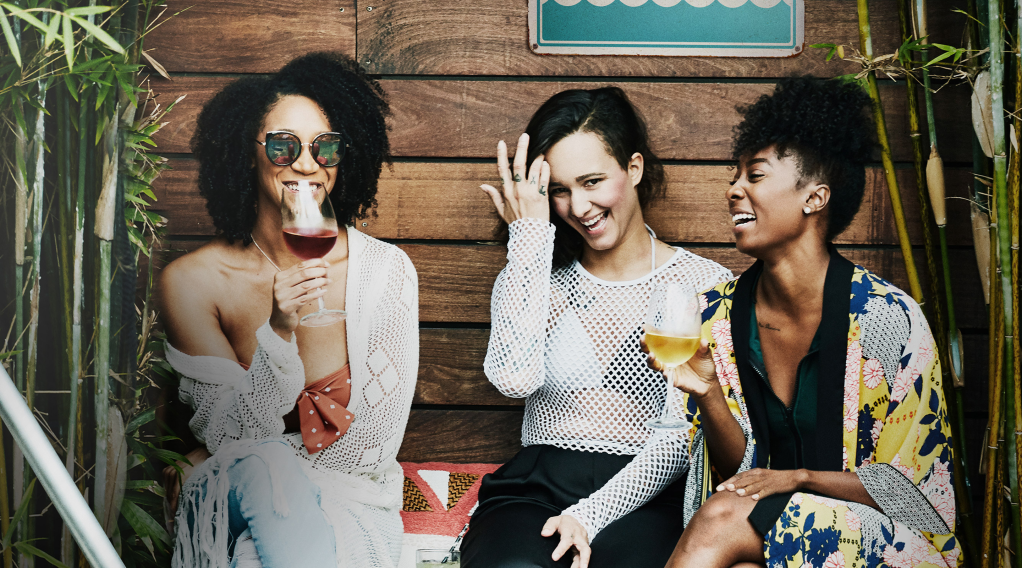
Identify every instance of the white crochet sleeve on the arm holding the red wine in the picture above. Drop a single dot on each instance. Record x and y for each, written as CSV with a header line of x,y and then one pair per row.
x,y
252,407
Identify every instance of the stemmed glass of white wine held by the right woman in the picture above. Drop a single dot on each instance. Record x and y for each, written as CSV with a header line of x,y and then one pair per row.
x,y
673,335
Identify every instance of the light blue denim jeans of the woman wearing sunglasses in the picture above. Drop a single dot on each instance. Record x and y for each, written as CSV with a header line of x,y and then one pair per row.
x,y
304,538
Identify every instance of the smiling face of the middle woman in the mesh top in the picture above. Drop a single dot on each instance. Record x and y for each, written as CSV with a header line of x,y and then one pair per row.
x,y
592,193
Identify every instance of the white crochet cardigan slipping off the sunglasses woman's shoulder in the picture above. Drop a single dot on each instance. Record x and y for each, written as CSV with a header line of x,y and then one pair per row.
x,y
359,478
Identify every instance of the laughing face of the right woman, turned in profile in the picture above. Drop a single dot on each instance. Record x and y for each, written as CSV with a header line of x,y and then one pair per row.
x,y
768,208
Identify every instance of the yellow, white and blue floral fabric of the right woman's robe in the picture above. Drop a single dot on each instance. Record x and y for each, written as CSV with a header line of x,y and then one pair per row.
x,y
896,439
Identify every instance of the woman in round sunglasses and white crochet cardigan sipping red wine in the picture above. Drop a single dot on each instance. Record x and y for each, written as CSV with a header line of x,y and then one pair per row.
x,y
303,423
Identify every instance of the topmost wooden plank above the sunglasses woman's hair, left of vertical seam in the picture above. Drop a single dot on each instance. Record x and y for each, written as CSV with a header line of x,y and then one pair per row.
x,y
250,36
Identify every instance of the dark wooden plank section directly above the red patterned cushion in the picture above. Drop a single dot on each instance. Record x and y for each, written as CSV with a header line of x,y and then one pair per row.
x,y
461,437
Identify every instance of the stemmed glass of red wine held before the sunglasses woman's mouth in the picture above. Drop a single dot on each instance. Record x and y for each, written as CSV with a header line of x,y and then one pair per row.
x,y
310,232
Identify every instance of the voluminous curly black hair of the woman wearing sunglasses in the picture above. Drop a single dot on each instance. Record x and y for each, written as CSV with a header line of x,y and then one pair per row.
x,y
229,126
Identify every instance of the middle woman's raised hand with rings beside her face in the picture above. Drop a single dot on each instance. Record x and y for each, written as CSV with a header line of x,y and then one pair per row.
x,y
525,194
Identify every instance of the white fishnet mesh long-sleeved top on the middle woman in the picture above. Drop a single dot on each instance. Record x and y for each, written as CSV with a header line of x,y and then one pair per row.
x,y
570,343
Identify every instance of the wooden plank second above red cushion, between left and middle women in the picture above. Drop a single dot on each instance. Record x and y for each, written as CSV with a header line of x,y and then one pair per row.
x,y
451,369
